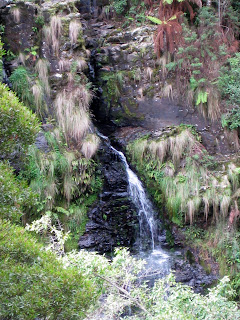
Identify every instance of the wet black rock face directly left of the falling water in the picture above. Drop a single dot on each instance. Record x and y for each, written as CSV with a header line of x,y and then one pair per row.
x,y
113,221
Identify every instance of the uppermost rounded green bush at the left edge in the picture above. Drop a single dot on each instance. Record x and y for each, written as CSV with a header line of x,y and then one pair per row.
x,y
18,126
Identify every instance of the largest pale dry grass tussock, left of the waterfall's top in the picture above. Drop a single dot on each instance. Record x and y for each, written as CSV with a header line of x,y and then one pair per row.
x,y
72,114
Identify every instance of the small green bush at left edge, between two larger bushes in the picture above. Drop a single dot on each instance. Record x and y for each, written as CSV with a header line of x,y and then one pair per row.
x,y
15,196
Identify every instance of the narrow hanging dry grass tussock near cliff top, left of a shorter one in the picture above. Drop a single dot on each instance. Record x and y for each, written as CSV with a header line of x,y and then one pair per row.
x,y
53,33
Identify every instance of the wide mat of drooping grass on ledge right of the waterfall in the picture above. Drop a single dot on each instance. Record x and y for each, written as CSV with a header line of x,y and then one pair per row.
x,y
192,186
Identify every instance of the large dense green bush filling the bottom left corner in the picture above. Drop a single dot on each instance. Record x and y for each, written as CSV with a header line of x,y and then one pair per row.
x,y
34,284
